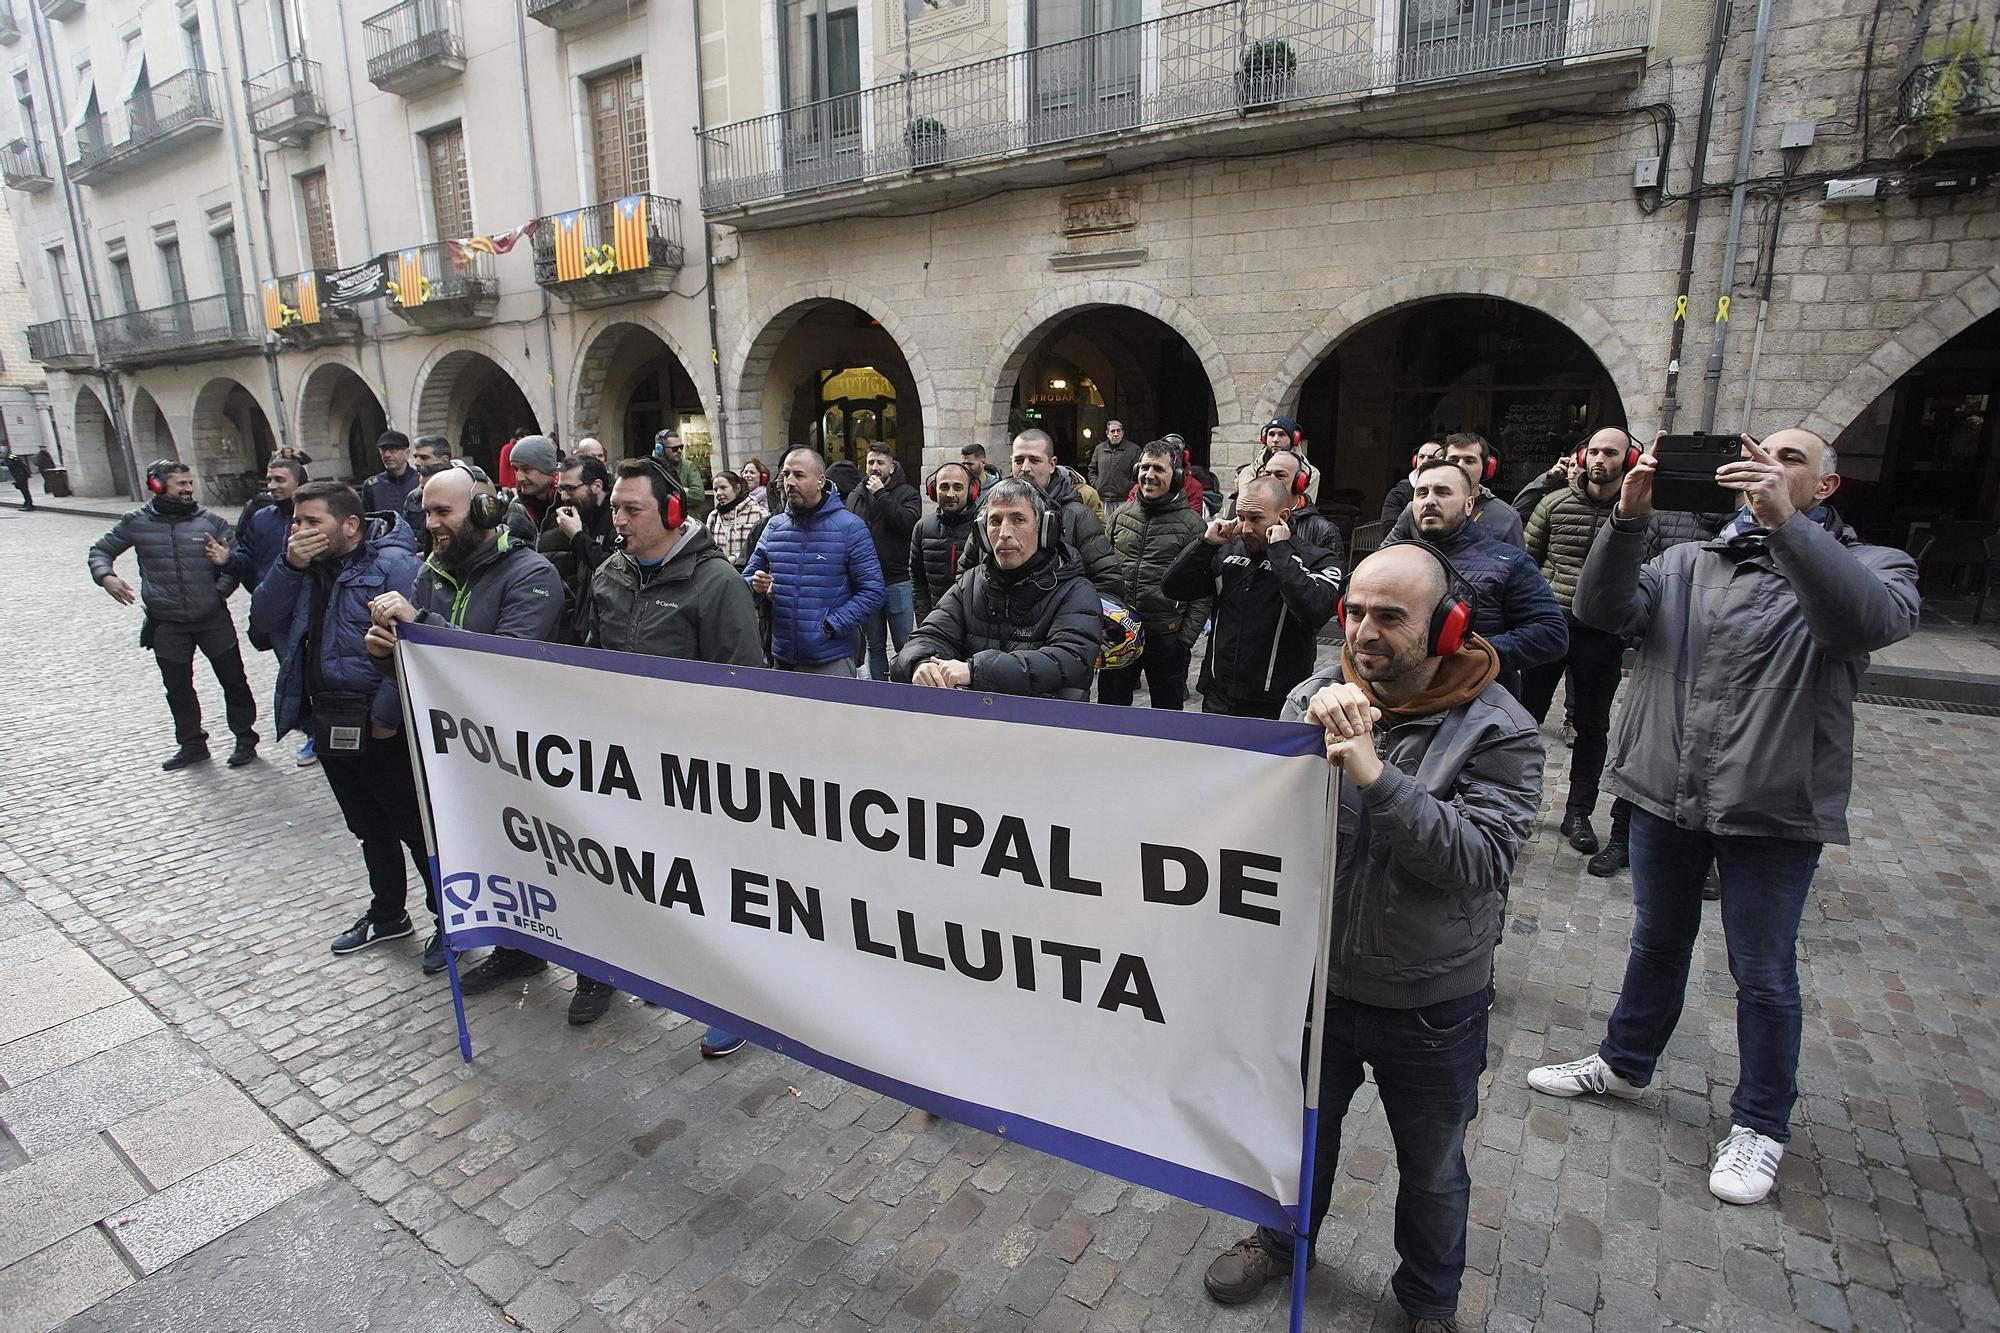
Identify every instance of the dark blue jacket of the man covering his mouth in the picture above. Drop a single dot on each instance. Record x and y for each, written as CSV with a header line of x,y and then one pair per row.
x,y
283,609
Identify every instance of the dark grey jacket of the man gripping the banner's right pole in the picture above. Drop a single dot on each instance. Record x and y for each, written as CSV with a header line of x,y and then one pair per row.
x,y
1425,856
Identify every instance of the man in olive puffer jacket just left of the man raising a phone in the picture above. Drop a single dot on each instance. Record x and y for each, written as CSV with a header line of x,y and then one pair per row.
x,y
1559,539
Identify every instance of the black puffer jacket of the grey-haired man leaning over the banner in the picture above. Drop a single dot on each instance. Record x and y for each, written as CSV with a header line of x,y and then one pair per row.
x,y
1033,631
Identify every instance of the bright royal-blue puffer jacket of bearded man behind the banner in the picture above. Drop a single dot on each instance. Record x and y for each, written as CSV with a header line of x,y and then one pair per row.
x,y
825,581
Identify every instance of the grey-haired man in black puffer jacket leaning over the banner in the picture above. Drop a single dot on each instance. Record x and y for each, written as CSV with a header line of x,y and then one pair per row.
x,y
1023,623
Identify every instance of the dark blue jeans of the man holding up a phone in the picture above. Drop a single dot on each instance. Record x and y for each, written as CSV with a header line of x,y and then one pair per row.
x,y
1765,886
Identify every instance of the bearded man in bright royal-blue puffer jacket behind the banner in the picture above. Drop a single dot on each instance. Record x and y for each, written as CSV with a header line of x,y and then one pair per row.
x,y
819,569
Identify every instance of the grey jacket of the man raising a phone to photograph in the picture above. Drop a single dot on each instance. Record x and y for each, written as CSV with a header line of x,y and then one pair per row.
x,y
1741,710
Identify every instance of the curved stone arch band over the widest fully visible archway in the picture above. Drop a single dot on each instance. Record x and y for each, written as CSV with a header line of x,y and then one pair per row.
x,y
1553,299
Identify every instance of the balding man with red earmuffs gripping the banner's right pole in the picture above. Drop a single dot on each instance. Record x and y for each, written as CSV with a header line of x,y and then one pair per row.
x,y
1439,792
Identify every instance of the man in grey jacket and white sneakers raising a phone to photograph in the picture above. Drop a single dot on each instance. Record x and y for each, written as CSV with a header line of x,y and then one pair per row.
x,y
1737,748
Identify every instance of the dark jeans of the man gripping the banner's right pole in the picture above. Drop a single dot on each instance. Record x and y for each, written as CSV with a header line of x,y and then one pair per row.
x,y
1427,1066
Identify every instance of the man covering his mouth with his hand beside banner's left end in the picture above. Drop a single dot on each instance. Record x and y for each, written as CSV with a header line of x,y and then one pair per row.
x,y
315,605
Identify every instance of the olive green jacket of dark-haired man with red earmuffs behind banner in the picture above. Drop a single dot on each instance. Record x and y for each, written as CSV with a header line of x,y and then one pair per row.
x,y
695,605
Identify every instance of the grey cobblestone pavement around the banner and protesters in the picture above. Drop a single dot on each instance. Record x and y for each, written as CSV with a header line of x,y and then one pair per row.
x,y
613,1180
